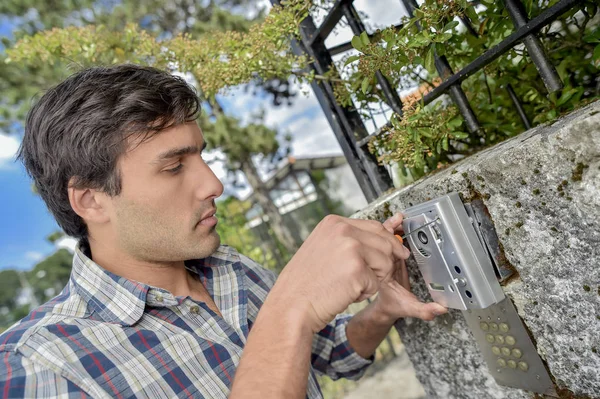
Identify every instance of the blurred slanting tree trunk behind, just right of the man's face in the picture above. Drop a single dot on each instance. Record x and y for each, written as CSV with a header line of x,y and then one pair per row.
x,y
261,194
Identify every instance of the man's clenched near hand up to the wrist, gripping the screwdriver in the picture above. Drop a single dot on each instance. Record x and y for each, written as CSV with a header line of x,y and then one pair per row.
x,y
341,262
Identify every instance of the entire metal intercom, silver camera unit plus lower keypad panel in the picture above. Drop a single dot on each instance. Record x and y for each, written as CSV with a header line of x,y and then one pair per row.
x,y
455,255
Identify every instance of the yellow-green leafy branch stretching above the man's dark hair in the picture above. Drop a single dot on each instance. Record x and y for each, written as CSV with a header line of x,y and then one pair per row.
x,y
216,60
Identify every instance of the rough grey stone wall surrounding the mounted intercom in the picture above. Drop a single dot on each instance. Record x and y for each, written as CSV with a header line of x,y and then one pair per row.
x,y
542,189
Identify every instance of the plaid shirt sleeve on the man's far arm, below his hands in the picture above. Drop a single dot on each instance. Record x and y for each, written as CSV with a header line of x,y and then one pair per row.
x,y
333,355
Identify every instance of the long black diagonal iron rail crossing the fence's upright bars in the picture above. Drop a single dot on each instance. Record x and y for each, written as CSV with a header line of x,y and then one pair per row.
x,y
545,17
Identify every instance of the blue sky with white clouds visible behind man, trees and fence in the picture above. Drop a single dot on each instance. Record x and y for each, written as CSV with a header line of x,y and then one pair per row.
x,y
25,221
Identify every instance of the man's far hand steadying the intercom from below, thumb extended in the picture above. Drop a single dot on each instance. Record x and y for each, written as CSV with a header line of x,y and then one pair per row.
x,y
394,299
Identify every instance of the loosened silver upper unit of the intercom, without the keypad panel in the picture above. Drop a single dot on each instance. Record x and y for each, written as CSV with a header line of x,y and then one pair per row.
x,y
456,267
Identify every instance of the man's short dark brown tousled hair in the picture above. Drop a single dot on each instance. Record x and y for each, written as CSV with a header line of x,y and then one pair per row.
x,y
79,128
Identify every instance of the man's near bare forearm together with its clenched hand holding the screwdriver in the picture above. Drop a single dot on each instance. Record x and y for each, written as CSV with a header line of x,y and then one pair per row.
x,y
341,262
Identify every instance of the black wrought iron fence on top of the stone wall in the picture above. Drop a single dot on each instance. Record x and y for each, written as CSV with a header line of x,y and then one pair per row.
x,y
348,126
